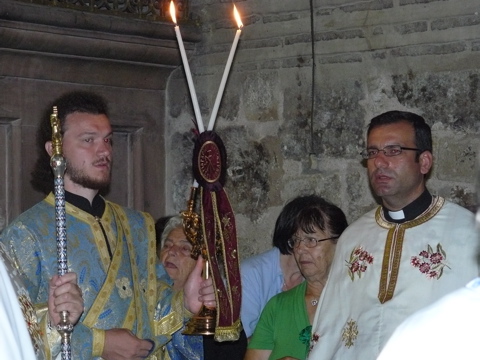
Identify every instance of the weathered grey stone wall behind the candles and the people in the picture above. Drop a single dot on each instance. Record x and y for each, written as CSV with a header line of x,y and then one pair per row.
x,y
368,57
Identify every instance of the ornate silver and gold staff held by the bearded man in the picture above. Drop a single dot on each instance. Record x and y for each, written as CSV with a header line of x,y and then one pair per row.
x,y
57,162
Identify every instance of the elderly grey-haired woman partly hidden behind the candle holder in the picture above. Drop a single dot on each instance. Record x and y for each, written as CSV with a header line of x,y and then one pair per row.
x,y
174,253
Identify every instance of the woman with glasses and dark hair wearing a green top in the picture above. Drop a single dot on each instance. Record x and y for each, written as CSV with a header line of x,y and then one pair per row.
x,y
284,328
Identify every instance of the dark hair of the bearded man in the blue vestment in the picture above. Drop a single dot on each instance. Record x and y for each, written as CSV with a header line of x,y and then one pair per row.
x,y
71,102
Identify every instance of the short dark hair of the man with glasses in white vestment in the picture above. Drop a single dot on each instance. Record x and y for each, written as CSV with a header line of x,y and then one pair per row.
x,y
423,133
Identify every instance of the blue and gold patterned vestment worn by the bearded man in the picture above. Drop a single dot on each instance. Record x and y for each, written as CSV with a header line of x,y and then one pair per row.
x,y
119,293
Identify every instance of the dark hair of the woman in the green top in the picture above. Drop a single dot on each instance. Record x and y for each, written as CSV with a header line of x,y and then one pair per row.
x,y
304,212
